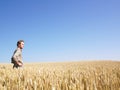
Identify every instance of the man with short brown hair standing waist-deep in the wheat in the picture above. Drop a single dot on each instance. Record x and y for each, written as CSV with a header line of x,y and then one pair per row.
x,y
17,55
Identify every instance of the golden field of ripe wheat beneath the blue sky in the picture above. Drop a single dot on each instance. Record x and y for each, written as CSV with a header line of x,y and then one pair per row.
x,y
88,75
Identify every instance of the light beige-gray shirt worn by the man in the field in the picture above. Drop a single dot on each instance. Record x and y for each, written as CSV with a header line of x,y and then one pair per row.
x,y
17,55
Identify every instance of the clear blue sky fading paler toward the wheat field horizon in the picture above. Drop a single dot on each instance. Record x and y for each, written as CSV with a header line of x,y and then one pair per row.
x,y
60,30
